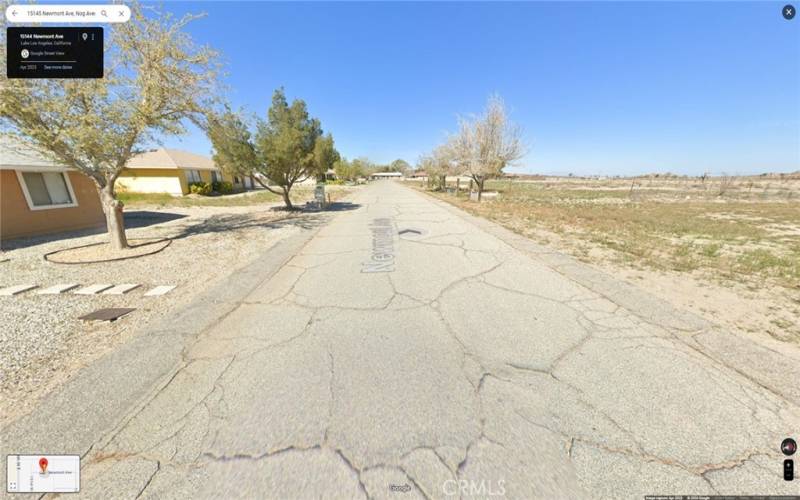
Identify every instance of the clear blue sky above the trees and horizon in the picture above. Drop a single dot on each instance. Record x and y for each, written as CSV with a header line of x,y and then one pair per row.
x,y
599,88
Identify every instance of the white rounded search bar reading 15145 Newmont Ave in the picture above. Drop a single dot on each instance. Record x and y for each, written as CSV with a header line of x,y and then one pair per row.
x,y
112,13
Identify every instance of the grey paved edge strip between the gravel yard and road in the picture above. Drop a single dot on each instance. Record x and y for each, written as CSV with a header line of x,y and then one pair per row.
x,y
88,407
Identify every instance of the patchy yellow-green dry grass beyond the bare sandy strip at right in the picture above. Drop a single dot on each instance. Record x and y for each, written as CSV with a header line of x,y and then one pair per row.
x,y
756,240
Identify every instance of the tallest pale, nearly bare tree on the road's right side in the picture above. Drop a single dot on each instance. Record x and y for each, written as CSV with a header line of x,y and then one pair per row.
x,y
485,145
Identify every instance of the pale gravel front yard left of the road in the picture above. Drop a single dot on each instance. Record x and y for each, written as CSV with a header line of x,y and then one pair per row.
x,y
42,343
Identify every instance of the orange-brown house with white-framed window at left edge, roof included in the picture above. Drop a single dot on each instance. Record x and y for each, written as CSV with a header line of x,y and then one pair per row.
x,y
39,196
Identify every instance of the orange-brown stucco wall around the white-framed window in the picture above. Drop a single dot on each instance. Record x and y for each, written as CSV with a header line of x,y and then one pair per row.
x,y
16,219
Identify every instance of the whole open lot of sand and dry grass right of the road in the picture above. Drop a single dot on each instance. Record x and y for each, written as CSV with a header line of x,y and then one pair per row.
x,y
727,248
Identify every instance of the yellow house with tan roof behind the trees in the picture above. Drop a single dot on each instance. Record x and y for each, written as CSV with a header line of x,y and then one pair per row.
x,y
172,171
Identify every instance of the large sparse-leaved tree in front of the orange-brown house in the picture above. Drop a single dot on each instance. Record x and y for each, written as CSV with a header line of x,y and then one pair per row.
x,y
156,77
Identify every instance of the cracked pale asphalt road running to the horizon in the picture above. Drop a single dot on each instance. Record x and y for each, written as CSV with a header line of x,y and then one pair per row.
x,y
475,360
